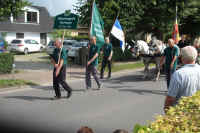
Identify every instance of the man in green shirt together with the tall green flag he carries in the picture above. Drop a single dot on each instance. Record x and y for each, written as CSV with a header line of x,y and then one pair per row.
x,y
96,41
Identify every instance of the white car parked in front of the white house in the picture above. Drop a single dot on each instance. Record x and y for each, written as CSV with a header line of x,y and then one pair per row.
x,y
25,46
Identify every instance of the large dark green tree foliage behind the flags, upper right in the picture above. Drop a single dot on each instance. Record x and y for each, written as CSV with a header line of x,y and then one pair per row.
x,y
141,16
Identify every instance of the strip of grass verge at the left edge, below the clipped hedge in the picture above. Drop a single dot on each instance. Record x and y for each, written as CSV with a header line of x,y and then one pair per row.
x,y
4,83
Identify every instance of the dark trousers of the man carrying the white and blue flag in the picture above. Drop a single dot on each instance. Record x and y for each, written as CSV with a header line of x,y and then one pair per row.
x,y
105,61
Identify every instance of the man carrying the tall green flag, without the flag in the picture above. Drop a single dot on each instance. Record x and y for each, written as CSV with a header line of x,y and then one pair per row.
x,y
92,63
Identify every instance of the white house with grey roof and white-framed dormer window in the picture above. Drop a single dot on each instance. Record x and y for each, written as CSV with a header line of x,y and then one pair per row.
x,y
35,23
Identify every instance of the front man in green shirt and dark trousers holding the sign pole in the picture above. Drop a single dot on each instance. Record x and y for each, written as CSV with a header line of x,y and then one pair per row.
x,y
59,60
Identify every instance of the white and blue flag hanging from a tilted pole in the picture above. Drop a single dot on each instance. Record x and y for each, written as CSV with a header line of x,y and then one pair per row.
x,y
118,33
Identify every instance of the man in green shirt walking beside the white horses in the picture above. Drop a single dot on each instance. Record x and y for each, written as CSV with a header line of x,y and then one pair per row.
x,y
170,57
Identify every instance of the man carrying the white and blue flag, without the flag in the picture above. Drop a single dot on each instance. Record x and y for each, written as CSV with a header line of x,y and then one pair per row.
x,y
107,56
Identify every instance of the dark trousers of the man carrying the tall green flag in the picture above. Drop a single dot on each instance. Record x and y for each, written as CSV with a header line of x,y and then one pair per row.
x,y
91,69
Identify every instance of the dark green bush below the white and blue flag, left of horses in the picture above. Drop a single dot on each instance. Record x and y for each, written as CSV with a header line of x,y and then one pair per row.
x,y
119,55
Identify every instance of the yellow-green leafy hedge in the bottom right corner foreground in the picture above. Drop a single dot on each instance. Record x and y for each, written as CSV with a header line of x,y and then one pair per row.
x,y
183,118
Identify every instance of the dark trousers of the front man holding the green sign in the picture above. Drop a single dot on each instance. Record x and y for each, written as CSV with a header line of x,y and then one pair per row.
x,y
60,80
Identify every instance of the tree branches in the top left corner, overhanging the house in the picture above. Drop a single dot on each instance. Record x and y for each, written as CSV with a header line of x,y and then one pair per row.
x,y
14,7
